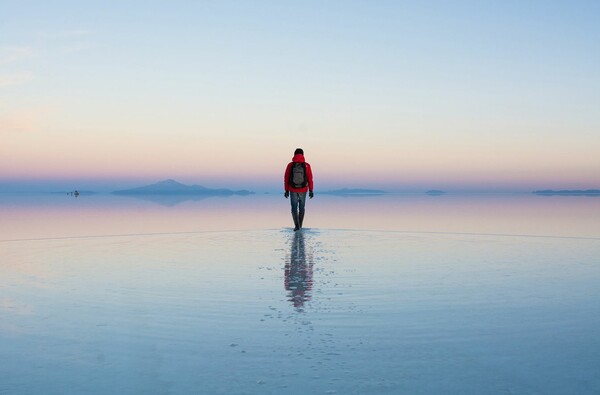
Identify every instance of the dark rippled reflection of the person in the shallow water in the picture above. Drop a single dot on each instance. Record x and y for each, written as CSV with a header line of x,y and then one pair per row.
x,y
298,272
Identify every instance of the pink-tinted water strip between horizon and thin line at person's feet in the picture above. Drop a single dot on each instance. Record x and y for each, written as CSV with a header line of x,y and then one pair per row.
x,y
33,216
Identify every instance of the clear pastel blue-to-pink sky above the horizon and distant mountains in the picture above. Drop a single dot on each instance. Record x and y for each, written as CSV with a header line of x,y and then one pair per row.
x,y
398,95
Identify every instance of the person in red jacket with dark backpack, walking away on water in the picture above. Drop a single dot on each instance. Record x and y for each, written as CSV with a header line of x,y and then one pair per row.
x,y
296,182
